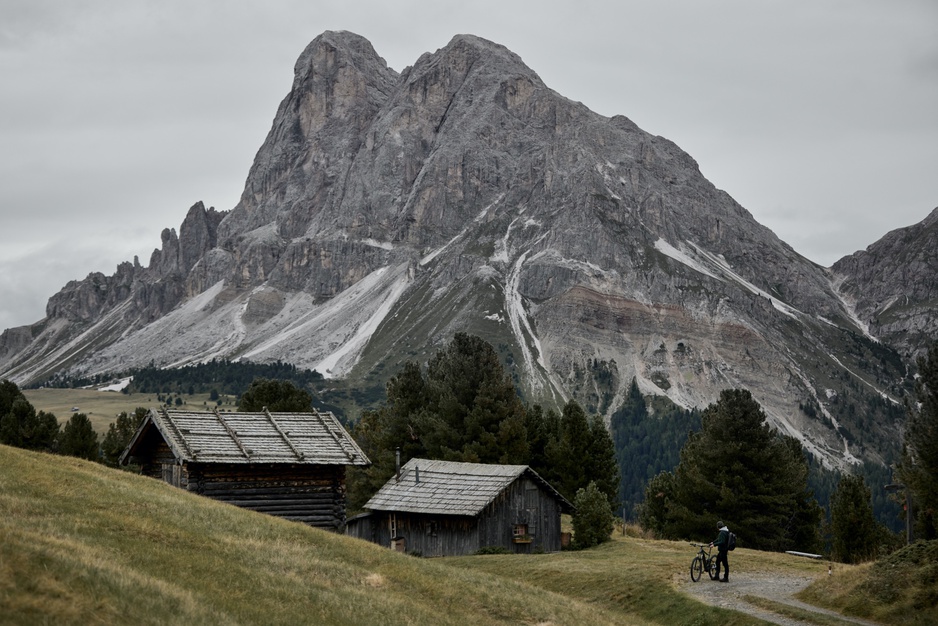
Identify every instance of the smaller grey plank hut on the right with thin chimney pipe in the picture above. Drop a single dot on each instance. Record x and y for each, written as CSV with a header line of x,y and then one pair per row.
x,y
442,508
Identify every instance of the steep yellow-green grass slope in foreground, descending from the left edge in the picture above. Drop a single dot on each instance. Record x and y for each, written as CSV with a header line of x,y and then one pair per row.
x,y
81,543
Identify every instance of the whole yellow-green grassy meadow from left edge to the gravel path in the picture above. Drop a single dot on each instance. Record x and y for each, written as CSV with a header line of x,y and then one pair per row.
x,y
81,543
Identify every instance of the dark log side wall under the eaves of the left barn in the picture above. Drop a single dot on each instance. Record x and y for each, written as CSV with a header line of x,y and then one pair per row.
x,y
312,494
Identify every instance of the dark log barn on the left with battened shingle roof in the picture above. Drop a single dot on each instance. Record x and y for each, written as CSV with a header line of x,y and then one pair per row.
x,y
291,465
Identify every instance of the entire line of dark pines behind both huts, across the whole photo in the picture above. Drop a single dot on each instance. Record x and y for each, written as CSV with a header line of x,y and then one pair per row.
x,y
678,470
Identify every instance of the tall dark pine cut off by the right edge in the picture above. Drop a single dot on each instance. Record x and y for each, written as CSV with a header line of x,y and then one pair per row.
x,y
918,468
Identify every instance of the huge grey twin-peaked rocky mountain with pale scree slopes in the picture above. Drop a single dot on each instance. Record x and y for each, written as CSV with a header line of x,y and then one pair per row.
x,y
386,211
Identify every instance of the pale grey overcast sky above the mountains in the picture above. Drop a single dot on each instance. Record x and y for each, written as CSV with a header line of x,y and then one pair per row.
x,y
820,117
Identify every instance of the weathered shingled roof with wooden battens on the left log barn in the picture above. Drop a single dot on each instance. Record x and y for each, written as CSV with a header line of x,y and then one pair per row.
x,y
265,437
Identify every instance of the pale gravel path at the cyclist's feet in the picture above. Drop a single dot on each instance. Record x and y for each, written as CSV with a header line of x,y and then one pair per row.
x,y
778,588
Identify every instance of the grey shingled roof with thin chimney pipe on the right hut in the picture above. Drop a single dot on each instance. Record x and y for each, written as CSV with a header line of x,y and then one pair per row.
x,y
451,488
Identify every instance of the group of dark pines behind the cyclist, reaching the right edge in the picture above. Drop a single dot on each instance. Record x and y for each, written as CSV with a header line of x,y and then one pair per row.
x,y
738,468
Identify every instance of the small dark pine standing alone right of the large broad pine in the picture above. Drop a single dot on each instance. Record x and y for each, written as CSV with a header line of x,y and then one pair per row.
x,y
854,531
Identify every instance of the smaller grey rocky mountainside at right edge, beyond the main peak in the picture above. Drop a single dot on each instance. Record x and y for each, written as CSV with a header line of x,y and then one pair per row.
x,y
894,287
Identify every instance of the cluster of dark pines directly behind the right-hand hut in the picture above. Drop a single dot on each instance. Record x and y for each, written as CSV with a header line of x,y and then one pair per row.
x,y
464,407
